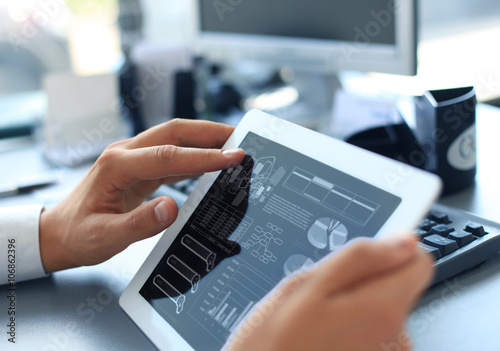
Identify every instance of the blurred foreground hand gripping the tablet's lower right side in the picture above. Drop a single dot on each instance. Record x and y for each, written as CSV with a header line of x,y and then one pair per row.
x,y
356,299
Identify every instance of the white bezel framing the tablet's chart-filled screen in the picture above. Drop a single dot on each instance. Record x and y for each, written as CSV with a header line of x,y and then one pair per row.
x,y
397,178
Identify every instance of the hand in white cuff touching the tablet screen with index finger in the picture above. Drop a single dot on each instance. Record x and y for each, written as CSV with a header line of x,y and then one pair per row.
x,y
106,212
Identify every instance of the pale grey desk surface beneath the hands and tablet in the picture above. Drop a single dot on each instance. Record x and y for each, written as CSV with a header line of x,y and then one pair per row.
x,y
78,309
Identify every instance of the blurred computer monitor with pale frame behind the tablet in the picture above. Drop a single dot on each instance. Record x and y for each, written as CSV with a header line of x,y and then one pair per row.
x,y
310,36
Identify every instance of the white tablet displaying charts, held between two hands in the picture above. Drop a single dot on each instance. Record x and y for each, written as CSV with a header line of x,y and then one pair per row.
x,y
297,196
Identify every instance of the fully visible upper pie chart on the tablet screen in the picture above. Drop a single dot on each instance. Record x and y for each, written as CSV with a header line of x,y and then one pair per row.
x,y
327,233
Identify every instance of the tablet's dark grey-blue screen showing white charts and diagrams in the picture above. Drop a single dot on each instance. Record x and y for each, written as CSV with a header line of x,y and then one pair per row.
x,y
276,212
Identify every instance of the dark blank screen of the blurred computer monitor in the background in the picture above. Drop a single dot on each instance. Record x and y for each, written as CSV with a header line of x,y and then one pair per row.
x,y
354,20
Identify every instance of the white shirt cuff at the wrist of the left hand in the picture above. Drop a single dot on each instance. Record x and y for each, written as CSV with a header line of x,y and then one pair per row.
x,y
20,244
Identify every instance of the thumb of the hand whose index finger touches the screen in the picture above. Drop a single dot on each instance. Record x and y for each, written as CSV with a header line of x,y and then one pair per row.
x,y
147,220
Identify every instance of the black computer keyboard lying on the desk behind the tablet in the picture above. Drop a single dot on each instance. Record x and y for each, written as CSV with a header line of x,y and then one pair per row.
x,y
458,240
